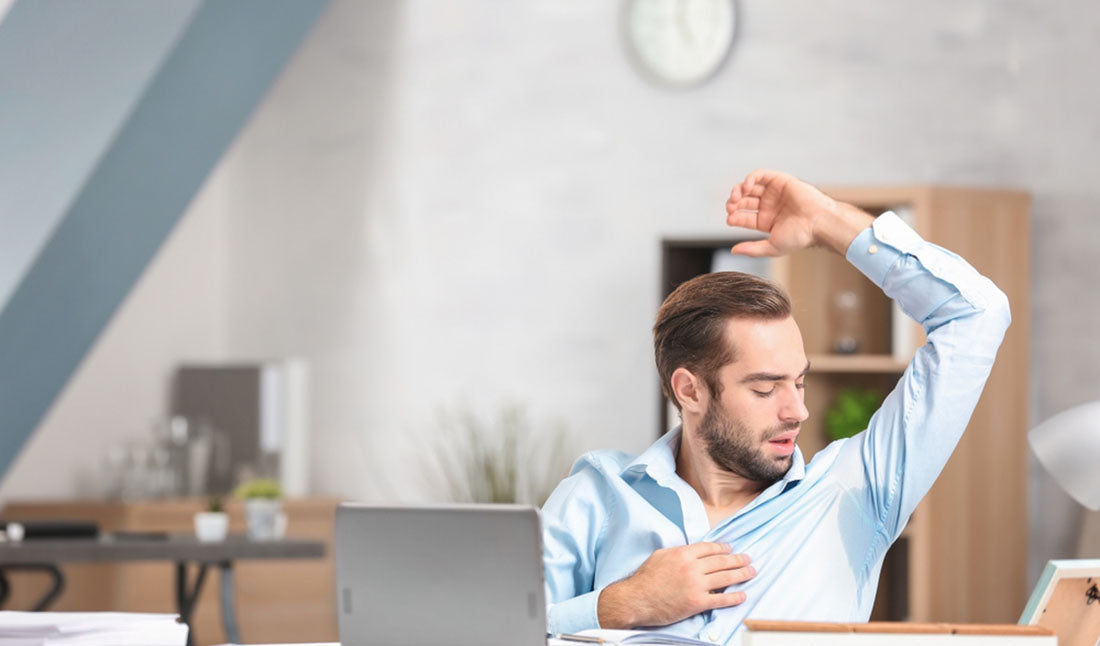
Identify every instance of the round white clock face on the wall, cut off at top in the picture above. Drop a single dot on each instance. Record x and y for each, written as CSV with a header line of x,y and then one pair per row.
x,y
680,42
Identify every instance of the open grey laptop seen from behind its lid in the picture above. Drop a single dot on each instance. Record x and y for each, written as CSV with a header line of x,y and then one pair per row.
x,y
446,576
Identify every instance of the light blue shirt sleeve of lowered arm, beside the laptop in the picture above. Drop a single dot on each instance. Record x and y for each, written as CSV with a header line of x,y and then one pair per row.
x,y
574,519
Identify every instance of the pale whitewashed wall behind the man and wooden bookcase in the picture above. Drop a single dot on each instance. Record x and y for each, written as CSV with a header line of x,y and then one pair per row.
x,y
447,203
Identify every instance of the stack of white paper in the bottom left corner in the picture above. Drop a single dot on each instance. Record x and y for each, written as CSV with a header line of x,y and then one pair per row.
x,y
91,629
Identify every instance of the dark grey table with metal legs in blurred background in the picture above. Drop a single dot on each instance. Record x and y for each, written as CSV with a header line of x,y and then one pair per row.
x,y
184,551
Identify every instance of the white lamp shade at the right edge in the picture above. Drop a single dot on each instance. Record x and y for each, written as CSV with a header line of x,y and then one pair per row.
x,y
1069,447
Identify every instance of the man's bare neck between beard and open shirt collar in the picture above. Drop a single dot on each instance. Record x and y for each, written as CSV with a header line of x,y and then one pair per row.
x,y
723,492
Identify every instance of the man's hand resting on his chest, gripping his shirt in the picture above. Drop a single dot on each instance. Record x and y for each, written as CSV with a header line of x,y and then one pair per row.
x,y
675,584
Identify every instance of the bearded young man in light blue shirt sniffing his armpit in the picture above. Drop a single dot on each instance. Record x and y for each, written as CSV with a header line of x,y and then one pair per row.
x,y
721,519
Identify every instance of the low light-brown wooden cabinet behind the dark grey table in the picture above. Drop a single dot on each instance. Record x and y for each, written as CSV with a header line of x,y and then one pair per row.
x,y
278,601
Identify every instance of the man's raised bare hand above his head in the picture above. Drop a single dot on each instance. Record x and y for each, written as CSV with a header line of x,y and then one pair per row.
x,y
794,214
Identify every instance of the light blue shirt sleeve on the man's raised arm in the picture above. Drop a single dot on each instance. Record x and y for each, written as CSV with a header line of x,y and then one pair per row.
x,y
965,317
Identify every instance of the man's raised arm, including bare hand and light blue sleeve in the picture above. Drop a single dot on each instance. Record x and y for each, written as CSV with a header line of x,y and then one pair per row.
x,y
964,315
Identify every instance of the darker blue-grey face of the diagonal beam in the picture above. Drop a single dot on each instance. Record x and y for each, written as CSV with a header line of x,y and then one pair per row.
x,y
223,67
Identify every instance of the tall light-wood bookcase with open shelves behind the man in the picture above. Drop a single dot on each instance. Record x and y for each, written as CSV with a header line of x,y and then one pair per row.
x,y
963,557
